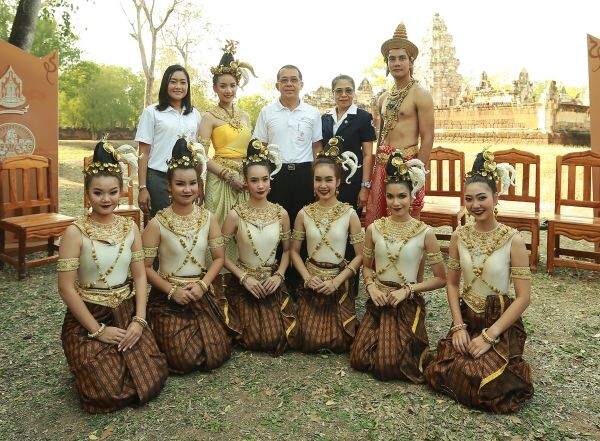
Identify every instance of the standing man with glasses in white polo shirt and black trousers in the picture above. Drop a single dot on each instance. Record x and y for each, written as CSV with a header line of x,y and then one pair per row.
x,y
296,128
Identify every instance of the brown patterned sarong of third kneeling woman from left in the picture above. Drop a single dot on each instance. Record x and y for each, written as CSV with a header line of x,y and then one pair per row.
x,y
269,324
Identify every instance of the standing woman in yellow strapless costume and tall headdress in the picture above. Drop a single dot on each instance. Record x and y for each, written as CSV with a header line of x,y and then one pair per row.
x,y
228,127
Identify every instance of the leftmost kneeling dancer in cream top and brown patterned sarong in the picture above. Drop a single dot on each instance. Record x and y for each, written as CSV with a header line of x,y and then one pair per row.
x,y
109,347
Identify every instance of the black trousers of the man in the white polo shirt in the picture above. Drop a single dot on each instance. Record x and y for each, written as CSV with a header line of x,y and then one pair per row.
x,y
292,189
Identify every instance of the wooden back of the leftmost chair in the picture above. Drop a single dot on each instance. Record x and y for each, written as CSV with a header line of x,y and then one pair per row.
x,y
29,183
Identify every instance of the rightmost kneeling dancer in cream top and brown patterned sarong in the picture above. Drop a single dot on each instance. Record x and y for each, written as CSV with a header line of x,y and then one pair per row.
x,y
480,362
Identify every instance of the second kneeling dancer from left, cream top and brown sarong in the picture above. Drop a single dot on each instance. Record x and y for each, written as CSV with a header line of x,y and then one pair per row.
x,y
190,319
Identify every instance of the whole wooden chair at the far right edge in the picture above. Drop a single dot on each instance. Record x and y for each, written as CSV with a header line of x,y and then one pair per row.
x,y
574,227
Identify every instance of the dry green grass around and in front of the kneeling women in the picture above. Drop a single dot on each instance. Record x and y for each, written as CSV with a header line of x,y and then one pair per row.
x,y
297,396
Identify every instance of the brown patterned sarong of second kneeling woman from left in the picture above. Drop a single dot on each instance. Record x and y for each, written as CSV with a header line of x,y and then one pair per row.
x,y
196,336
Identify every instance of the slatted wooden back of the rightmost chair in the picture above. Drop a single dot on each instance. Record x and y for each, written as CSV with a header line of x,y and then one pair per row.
x,y
586,160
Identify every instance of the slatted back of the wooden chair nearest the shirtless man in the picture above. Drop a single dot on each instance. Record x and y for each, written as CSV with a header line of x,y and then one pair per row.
x,y
456,162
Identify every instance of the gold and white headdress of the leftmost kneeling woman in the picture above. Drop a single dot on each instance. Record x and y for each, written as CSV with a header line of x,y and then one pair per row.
x,y
108,159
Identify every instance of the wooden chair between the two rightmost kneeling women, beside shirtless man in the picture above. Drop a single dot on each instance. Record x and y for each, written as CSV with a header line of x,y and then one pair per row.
x,y
452,212
